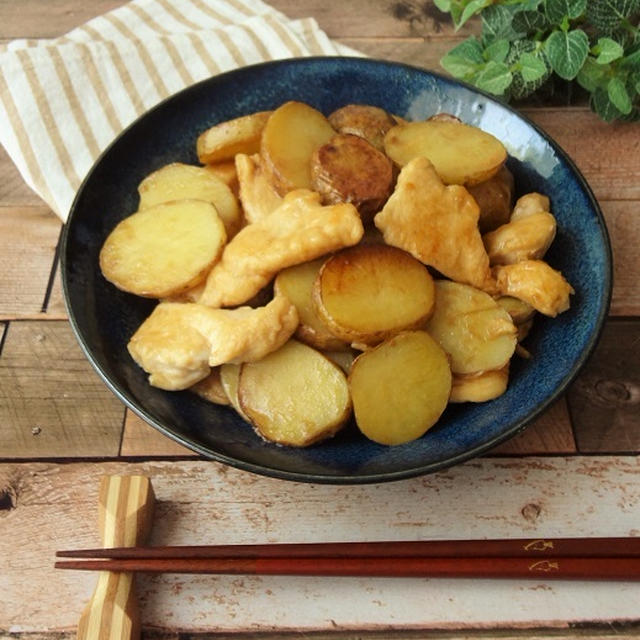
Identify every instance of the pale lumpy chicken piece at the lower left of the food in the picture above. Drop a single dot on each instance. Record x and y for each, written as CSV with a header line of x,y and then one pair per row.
x,y
180,341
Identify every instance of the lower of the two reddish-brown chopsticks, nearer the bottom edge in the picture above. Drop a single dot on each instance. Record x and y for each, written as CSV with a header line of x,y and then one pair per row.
x,y
557,568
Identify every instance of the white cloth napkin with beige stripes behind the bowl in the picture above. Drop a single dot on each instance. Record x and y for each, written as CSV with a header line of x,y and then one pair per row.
x,y
62,101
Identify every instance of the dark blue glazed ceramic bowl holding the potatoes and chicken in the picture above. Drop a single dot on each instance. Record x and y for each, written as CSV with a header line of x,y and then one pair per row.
x,y
104,318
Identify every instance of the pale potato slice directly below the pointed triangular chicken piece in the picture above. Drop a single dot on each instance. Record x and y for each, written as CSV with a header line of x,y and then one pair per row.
x,y
476,332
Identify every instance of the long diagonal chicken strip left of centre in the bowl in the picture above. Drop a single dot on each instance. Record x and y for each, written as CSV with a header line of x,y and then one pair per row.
x,y
299,230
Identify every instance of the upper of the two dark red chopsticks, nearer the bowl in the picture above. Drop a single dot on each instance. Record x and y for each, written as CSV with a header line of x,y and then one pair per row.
x,y
512,548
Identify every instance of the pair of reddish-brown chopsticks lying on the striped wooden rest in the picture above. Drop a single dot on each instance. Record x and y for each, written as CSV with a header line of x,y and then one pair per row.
x,y
549,558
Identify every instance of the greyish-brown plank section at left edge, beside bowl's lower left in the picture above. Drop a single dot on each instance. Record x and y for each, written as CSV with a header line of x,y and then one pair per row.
x,y
52,404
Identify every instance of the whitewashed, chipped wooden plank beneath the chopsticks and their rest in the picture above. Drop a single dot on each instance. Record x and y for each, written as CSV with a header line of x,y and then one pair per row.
x,y
49,507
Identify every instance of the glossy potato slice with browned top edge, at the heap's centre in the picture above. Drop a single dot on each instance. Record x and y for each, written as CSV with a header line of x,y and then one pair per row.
x,y
370,292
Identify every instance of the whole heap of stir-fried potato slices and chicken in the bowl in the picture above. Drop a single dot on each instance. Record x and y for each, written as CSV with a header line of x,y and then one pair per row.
x,y
310,262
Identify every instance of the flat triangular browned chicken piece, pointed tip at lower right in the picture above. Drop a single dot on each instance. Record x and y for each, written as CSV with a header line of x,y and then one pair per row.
x,y
436,224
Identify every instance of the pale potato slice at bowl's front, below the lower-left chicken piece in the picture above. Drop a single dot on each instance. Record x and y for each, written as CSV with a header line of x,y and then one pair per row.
x,y
294,396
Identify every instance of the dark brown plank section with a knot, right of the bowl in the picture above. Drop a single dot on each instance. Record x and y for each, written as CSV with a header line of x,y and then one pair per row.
x,y
605,400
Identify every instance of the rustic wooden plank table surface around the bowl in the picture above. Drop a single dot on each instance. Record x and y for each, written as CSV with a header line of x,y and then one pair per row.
x,y
576,471
